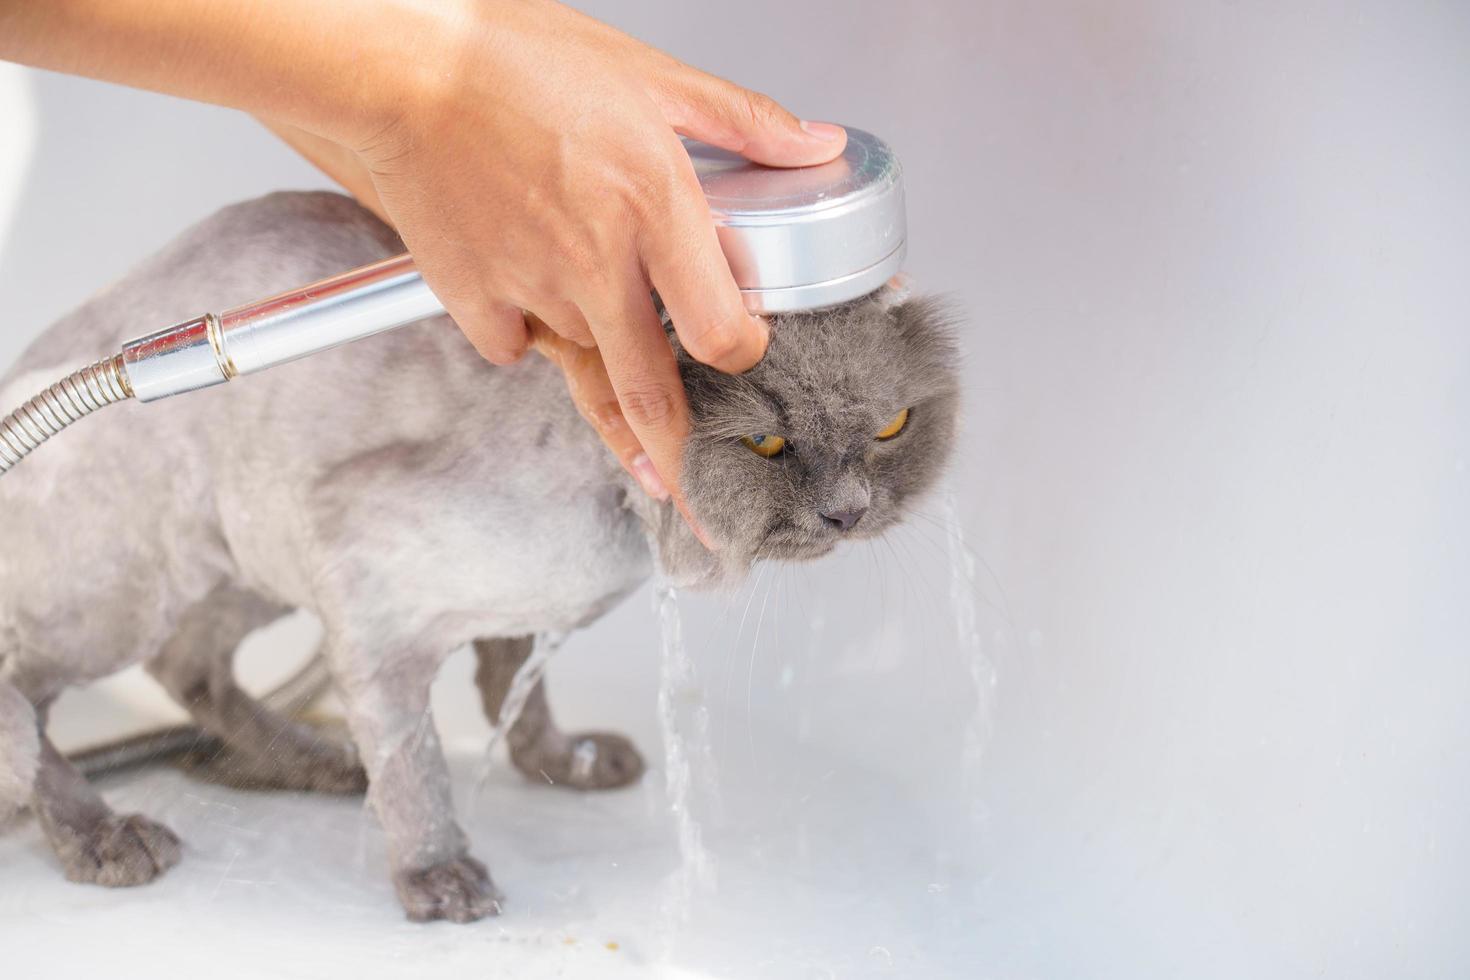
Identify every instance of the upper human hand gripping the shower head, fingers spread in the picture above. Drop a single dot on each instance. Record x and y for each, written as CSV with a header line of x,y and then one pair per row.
x,y
531,164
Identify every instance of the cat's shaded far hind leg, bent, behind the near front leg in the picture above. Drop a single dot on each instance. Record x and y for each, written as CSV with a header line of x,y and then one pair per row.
x,y
252,747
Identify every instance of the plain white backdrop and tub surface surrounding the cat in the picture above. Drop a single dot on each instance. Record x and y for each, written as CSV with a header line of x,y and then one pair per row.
x,y
1213,265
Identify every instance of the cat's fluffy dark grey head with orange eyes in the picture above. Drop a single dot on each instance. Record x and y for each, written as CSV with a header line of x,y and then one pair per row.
x,y
847,419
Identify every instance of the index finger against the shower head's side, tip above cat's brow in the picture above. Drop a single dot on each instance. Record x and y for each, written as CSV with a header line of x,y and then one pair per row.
x,y
695,281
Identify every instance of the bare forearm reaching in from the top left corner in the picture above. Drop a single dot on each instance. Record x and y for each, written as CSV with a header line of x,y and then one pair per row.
x,y
331,68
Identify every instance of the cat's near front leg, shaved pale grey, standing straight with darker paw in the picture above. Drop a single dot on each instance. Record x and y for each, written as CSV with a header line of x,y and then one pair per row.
x,y
387,699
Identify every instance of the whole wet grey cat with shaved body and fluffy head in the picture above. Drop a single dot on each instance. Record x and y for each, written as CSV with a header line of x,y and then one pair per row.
x,y
415,499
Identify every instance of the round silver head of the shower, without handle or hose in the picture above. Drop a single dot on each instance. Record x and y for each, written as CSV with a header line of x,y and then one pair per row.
x,y
809,237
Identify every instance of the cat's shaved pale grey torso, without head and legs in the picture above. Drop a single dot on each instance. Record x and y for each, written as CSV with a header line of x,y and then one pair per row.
x,y
406,450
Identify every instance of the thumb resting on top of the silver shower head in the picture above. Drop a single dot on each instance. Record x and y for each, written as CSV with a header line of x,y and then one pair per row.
x,y
753,126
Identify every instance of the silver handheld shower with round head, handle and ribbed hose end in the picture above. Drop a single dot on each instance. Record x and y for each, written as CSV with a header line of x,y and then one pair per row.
x,y
796,239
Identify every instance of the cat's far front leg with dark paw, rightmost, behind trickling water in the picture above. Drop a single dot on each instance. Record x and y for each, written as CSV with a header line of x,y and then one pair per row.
x,y
539,749
